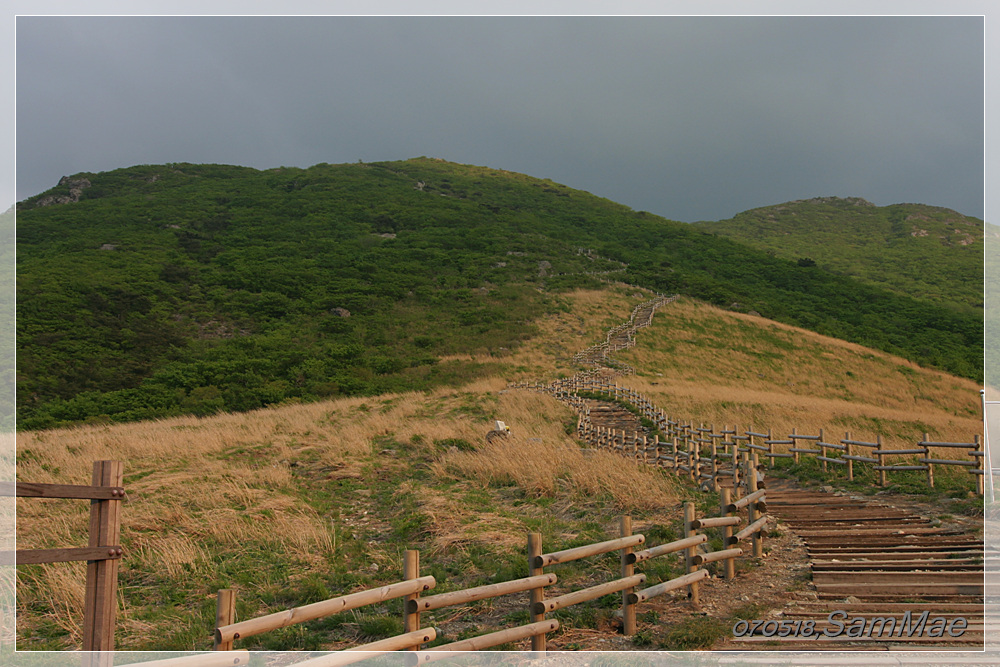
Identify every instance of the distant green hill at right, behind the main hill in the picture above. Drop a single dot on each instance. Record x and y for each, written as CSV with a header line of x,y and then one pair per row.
x,y
925,252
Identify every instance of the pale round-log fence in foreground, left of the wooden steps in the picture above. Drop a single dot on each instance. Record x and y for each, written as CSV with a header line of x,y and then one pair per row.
x,y
629,584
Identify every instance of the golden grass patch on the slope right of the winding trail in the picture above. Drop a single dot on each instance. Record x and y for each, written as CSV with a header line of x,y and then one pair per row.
x,y
709,365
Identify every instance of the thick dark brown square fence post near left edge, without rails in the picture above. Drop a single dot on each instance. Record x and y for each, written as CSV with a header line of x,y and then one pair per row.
x,y
100,598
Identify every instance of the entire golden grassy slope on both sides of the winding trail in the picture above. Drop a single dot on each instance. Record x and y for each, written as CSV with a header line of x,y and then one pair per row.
x,y
293,504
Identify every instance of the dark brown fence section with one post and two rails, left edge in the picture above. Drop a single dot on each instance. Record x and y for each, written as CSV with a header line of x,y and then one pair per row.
x,y
102,552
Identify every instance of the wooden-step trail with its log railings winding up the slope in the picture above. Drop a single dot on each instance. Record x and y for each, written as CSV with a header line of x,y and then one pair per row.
x,y
877,566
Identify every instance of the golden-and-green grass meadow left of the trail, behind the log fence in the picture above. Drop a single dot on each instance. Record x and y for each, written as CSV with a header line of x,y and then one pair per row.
x,y
294,504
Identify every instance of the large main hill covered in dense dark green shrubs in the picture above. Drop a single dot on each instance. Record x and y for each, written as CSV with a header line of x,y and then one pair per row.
x,y
183,288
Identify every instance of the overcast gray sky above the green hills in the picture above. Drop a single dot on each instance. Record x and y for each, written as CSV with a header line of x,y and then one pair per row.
x,y
692,118
